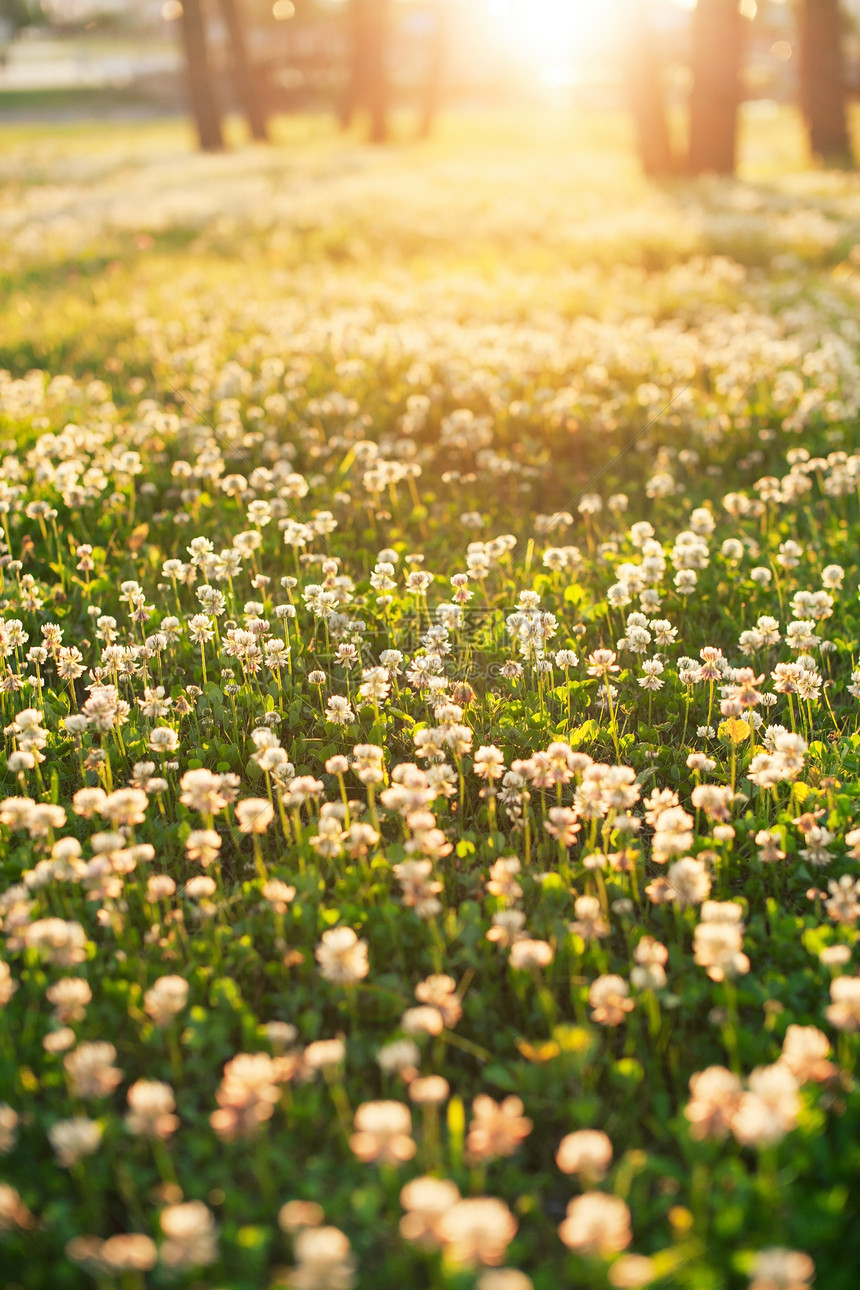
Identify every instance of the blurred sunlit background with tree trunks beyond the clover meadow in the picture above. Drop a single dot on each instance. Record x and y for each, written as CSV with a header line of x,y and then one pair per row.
x,y
684,81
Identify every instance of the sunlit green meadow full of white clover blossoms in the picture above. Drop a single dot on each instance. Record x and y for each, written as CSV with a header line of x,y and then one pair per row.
x,y
431,661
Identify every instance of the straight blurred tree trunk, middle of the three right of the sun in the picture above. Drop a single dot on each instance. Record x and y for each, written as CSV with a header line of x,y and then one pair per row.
x,y
716,87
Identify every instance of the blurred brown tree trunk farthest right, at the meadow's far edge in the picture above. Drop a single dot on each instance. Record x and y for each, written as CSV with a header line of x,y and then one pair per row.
x,y
823,81
